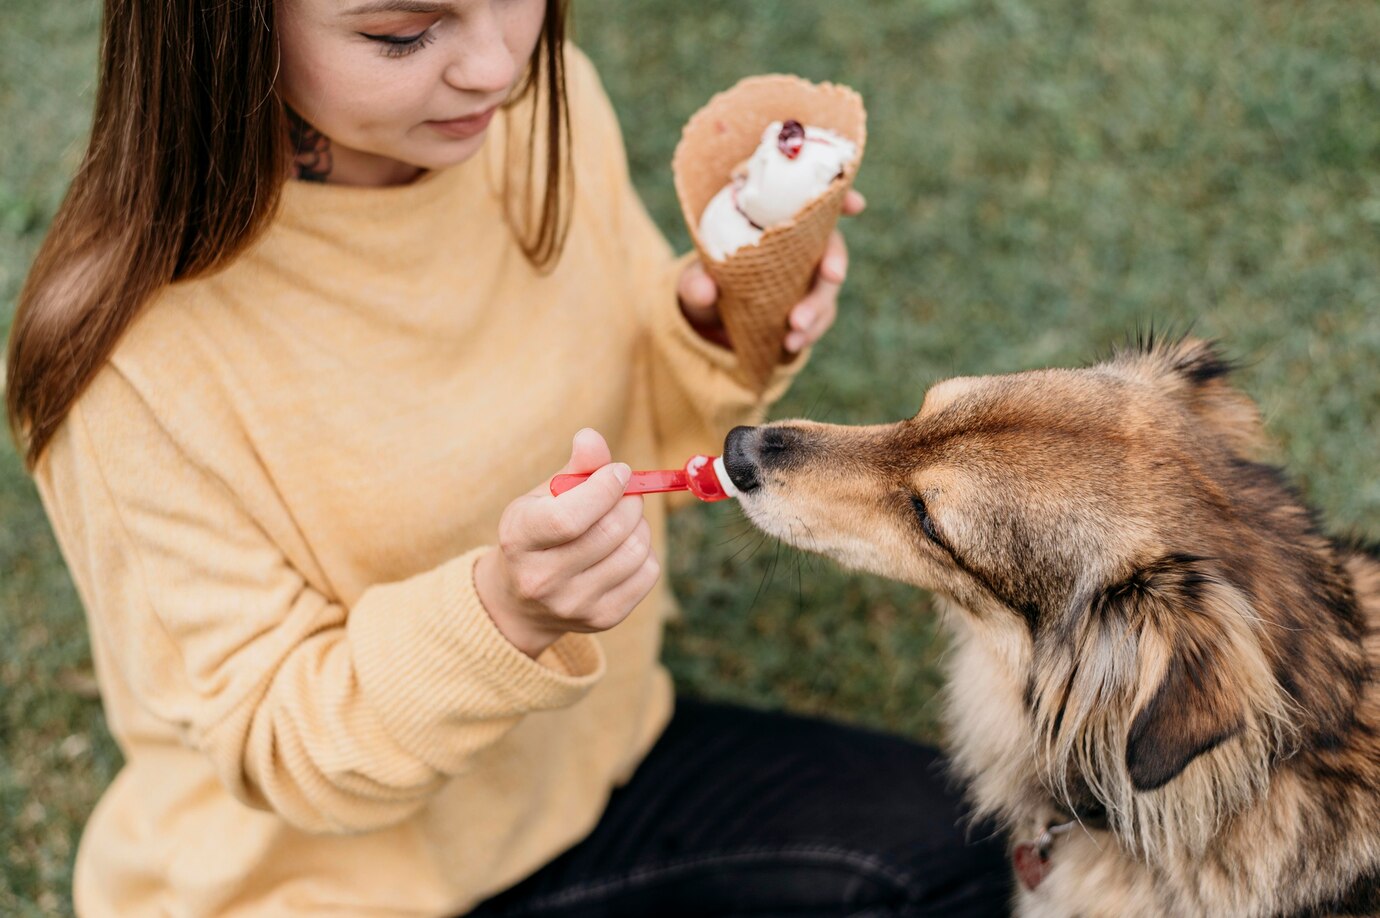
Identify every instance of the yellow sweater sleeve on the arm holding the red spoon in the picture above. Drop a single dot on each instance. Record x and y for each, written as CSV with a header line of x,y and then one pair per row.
x,y
336,719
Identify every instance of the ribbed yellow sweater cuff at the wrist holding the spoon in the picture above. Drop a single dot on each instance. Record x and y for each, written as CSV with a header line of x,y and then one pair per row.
x,y
441,674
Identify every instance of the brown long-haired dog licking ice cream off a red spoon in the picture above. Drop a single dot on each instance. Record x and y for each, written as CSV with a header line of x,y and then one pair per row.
x,y
1164,680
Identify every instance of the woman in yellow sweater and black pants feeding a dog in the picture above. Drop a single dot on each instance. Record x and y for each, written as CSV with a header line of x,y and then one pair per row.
x,y
292,371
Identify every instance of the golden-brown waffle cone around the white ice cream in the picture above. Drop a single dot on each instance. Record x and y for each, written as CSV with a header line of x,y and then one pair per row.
x,y
758,285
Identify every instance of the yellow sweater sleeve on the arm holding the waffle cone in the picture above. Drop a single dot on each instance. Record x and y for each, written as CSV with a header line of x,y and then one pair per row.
x,y
696,395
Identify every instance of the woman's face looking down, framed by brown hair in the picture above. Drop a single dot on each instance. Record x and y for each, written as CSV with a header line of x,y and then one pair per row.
x,y
402,86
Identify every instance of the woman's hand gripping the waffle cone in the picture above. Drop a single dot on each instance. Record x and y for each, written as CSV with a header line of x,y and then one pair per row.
x,y
808,321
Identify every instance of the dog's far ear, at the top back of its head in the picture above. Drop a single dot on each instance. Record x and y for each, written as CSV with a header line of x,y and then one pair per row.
x,y
1199,376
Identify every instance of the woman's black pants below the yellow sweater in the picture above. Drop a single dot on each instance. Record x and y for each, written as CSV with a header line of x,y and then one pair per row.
x,y
742,812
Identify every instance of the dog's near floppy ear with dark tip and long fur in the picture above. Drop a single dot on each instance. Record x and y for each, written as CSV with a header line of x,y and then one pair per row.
x,y
1187,621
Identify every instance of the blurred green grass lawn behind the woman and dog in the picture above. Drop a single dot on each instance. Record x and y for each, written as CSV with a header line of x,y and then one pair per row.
x,y
1044,179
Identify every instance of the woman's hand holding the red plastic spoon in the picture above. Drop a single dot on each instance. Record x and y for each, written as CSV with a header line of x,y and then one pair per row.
x,y
578,563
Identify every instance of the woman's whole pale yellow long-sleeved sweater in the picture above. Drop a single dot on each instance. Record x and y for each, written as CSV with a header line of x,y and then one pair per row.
x,y
271,503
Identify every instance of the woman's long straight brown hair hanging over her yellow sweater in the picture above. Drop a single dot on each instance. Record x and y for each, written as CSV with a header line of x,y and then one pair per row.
x,y
187,159
